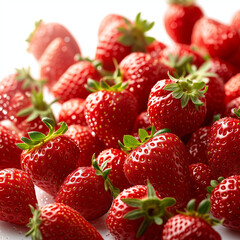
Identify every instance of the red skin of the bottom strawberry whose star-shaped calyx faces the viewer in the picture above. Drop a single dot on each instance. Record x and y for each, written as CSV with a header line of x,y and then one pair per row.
x,y
124,229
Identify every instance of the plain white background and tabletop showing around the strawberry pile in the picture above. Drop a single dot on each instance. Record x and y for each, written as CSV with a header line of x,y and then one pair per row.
x,y
82,18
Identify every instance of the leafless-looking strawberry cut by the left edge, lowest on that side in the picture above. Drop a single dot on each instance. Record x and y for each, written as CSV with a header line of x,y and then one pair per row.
x,y
16,193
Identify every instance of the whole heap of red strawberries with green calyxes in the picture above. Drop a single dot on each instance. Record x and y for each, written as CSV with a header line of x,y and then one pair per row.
x,y
147,133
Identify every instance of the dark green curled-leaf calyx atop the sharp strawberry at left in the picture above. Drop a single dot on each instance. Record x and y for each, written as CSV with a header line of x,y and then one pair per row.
x,y
37,138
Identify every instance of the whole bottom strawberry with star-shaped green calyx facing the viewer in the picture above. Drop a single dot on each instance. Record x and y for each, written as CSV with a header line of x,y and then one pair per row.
x,y
138,213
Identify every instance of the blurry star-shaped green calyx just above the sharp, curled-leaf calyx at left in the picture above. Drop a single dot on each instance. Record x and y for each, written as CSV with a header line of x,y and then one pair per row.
x,y
39,108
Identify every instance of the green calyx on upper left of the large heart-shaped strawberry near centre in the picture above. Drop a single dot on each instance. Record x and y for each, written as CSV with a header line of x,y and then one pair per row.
x,y
130,142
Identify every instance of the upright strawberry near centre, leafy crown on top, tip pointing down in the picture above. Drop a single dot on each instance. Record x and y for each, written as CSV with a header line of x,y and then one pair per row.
x,y
110,111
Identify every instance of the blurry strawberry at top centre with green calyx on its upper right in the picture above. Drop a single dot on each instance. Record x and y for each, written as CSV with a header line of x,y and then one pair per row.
x,y
119,41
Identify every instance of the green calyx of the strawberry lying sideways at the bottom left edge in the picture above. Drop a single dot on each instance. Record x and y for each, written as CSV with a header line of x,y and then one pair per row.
x,y
34,224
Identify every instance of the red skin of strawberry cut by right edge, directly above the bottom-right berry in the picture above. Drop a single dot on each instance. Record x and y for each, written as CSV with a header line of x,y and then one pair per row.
x,y
222,147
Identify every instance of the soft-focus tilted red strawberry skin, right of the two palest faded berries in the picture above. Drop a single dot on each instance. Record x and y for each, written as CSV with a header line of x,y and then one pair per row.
x,y
72,83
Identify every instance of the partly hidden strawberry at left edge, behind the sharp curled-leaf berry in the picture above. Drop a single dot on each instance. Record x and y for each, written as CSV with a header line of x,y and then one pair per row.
x,y
9,153
